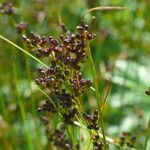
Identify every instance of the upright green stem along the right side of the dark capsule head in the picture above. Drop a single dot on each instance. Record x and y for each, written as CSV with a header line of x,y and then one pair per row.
x,y
97,94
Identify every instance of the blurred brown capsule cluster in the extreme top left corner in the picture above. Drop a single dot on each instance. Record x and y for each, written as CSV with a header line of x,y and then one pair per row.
x,y
6,8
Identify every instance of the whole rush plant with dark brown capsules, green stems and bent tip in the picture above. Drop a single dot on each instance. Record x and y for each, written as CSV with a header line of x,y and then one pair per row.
x,y
62,82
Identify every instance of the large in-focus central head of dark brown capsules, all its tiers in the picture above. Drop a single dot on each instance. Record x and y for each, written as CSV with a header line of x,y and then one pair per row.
x,y
62,78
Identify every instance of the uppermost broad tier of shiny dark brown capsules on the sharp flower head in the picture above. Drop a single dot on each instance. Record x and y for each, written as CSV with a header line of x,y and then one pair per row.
x,y
72,50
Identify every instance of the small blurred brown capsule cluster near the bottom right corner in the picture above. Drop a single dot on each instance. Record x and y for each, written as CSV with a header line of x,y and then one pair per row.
x,y
126,139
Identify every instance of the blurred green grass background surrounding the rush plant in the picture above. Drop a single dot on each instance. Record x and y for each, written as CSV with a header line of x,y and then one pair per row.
x,y
120,50
